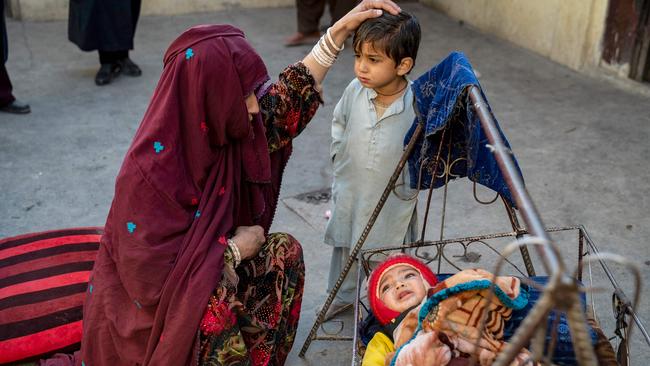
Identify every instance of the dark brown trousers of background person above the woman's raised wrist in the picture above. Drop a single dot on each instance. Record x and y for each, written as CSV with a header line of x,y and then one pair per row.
x,y
310,12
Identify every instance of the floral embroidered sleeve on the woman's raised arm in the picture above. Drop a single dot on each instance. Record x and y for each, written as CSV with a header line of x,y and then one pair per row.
x,y
289,105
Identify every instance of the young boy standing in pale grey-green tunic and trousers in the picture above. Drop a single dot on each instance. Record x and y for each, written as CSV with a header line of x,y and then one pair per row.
x,y
368,129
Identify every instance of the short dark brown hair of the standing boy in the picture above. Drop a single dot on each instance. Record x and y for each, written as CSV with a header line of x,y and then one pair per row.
x,y
398,36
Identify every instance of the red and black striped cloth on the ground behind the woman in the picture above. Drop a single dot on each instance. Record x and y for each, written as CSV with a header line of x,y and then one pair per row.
x,y
43,283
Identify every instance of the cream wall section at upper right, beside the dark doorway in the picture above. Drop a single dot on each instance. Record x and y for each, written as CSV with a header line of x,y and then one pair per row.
x,y
568,32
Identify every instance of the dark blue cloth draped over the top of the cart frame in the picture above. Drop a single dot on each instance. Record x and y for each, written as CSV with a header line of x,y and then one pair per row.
x,y
440,99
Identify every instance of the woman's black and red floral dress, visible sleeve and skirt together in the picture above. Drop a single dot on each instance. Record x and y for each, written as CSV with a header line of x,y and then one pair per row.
x,y
253,313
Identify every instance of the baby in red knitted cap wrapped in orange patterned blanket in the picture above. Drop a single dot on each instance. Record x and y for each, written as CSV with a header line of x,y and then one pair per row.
x,y
402,290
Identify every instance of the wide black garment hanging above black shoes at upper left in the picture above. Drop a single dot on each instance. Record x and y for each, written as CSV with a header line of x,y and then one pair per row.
x,y
105,25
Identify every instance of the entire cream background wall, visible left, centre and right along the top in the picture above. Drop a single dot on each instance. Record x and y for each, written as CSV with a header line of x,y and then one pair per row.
x,y
568,32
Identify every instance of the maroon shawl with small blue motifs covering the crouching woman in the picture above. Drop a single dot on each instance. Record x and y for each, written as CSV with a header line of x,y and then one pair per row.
x,y
196,170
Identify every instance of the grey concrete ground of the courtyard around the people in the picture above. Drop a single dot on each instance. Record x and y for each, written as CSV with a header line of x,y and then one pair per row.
x,y
581,142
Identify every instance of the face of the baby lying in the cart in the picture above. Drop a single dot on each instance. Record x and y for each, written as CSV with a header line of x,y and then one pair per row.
x,y
401,287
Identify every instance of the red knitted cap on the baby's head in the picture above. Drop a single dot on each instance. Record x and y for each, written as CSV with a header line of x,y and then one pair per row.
x,y
381,311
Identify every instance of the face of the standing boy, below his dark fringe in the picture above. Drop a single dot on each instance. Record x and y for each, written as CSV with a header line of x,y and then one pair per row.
x,y
373,68
